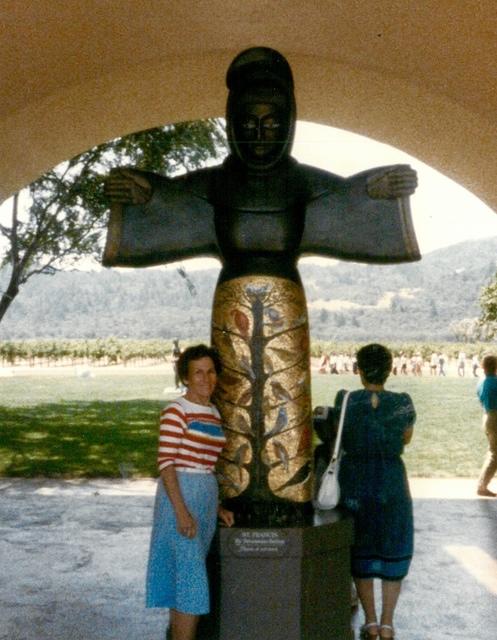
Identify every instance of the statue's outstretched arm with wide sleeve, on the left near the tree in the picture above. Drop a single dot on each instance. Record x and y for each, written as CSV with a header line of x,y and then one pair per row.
x,y
155,220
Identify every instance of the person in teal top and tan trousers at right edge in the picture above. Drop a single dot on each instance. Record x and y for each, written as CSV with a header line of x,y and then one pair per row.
x,y
487,394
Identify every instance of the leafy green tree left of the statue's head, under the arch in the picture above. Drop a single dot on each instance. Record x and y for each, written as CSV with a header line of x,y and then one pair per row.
x,y
64,214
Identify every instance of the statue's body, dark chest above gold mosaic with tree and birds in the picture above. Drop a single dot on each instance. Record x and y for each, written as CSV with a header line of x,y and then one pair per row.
x,y
260,329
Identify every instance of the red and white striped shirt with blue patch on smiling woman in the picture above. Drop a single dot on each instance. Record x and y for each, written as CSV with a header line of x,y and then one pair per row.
x,y
190,436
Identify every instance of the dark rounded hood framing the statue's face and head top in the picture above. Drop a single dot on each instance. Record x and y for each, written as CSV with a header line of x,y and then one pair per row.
x,y
261,75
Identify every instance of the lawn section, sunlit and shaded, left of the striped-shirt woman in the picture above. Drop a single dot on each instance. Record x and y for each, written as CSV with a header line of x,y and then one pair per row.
x,y
66,426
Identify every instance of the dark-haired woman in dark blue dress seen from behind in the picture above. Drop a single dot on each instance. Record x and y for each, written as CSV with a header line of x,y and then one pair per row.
x,y
374,486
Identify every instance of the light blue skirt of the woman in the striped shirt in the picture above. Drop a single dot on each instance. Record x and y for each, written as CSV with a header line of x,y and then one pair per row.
x,y
176,573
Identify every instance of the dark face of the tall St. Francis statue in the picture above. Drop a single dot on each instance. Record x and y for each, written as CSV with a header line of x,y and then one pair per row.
x,y
260,132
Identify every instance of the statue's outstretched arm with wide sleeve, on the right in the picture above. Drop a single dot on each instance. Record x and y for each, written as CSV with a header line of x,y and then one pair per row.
x,y
365,218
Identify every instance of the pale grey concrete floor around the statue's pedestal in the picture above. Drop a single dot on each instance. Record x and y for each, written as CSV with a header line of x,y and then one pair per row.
x,y
73,555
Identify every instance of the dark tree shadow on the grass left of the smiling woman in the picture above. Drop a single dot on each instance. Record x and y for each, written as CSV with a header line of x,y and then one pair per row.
x,y
80,439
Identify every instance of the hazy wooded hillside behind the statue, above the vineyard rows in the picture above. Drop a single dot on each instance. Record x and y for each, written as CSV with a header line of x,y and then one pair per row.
x,y
347,301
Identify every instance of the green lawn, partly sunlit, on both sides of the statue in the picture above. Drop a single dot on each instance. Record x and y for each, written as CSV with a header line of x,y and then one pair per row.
x,y
106,426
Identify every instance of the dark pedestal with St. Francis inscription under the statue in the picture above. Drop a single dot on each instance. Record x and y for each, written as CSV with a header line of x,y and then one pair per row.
x,y
282,584
